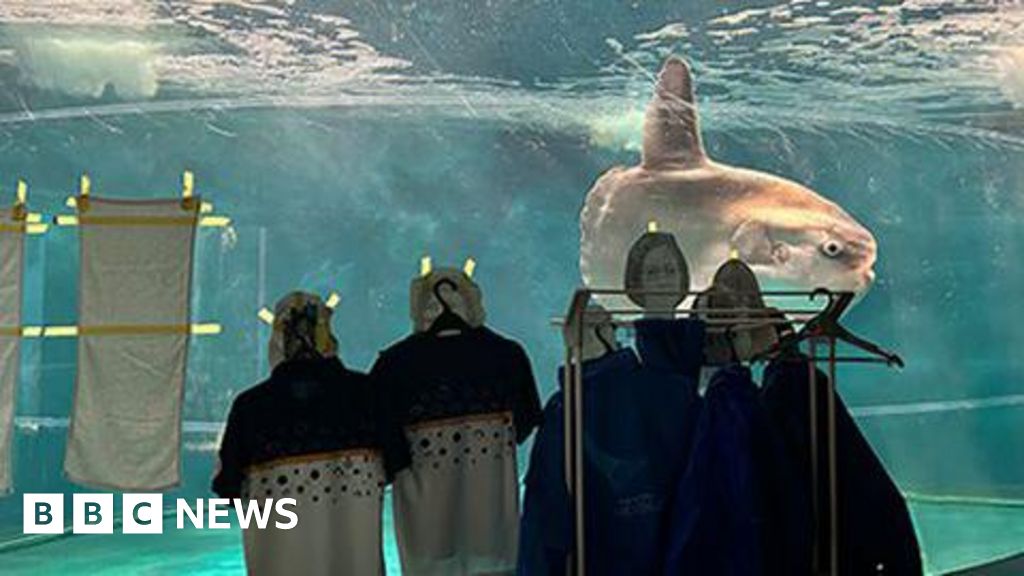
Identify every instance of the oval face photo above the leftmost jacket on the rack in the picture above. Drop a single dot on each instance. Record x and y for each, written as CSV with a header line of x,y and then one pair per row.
x,y
657,265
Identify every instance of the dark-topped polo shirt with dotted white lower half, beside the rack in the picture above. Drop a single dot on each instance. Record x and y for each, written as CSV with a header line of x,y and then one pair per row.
x,y
456,407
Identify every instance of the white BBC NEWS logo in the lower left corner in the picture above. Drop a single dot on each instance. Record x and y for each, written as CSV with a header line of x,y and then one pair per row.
x,y
144,514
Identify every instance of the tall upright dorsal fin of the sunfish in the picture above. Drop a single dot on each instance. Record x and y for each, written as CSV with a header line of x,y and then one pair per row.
x,y
671,132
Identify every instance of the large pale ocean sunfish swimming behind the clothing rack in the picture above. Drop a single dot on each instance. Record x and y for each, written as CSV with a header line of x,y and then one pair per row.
x,y
791,236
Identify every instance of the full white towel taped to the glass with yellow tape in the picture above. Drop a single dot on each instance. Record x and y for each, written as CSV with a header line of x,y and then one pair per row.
x,y
134,338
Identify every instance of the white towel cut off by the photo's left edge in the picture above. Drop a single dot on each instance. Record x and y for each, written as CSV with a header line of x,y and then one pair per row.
x,y
12,258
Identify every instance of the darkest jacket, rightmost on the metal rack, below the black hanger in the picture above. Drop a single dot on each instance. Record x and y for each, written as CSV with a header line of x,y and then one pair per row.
x,y
876,533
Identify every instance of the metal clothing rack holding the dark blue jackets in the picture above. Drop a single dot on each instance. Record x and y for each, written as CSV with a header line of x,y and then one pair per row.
x,y
578,321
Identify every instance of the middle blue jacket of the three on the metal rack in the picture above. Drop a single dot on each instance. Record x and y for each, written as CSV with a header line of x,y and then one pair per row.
x,y
737,511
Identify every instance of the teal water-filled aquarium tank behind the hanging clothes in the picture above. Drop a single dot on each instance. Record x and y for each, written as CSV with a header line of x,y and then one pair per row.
x,y
344,141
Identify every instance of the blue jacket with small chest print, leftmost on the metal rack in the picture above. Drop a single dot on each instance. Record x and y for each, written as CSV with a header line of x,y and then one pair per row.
x,y
635,438
